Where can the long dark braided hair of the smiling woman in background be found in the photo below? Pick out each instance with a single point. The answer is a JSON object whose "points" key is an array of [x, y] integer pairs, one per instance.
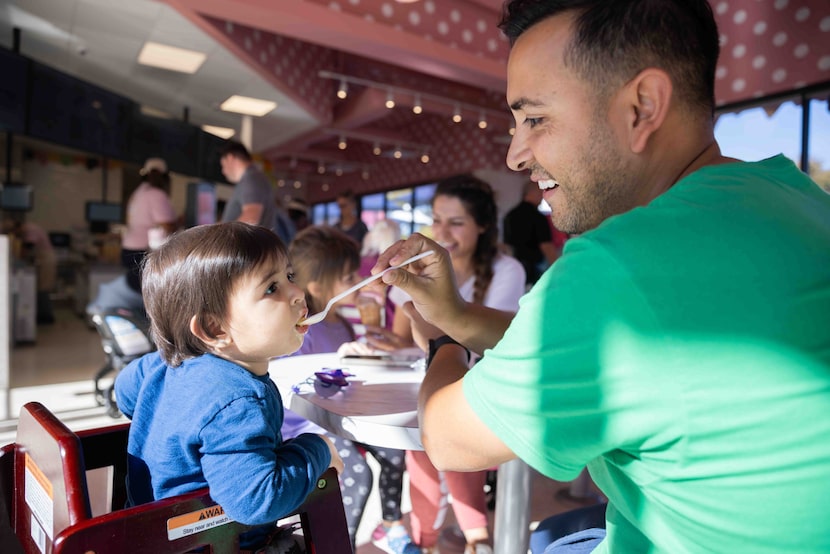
{"points": [[480, 202]]}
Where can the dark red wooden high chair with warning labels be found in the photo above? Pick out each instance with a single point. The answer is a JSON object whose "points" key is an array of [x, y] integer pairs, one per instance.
{"points": [[44, 483]]}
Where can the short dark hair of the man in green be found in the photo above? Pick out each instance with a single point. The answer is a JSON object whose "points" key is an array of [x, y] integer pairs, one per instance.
{"points": [[614, 40]]}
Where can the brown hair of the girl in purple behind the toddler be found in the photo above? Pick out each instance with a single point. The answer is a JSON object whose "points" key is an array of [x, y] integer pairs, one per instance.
{"points": [[322, 254]]}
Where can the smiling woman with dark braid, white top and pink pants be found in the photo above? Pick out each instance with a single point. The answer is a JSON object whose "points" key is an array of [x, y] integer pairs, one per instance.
{"points": [[464, 222]]}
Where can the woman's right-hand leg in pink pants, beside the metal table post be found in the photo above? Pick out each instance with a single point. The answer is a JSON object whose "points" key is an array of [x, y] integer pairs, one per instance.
{"points": [[469, 504]]}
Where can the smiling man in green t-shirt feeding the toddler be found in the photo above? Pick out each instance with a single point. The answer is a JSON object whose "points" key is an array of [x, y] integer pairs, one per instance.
{"points": [[680, 347]]}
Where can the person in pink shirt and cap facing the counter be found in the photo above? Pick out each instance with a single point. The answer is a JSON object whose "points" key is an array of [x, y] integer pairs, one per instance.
{"points": [[150, 217]]}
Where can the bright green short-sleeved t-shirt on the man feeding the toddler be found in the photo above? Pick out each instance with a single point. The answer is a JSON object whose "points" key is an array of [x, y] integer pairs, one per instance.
{"points": [[682, 352]]}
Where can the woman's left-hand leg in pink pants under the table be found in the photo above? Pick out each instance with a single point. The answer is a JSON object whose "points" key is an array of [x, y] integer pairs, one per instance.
{"points": [[428, 493]]}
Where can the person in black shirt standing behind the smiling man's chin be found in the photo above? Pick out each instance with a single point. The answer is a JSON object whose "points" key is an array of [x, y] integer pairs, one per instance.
{"points": [[528, 232]]}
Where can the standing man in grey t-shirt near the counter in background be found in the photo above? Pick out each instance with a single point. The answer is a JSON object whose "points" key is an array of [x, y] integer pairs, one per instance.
{"points": [[253, 200]]}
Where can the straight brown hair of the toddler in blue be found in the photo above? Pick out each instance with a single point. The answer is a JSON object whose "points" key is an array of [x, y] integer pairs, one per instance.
{"points": [[194, 274]]}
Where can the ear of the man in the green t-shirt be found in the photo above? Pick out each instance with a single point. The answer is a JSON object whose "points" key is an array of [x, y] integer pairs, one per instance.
{"points": [[645, 101]]}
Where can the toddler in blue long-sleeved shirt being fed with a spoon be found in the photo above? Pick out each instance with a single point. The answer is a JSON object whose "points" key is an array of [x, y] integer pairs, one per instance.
{"points": [[222, 302]]}
